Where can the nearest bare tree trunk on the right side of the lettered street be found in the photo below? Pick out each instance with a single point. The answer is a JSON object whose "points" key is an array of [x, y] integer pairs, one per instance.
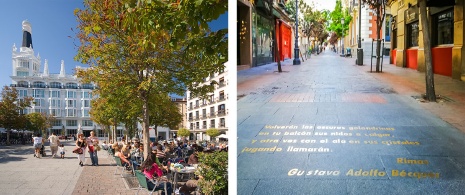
{"points": [[429, 75]]}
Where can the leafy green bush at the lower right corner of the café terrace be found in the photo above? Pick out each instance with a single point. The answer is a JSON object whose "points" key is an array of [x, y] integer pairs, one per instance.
{"points": [[213, 167]]}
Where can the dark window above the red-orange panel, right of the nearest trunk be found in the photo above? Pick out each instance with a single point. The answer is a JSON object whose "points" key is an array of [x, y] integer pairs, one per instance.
{"points": [[444, 23]]}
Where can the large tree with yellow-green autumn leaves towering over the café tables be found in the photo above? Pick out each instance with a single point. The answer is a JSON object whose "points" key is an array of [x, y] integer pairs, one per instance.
{"points": [[146, 47]]}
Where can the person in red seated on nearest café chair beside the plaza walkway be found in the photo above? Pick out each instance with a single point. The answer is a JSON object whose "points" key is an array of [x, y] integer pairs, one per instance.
{"points": [[152, 171]]}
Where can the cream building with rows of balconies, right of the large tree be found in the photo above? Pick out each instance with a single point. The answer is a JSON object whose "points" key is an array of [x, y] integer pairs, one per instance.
{"points": [[203, 114]]}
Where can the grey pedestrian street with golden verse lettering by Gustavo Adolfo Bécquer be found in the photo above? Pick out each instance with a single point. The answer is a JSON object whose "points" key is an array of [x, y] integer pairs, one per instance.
{"points": [[328, 126]]}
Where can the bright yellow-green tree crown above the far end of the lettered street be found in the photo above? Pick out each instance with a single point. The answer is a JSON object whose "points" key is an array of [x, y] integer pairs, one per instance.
{"points": [[336, 17]]}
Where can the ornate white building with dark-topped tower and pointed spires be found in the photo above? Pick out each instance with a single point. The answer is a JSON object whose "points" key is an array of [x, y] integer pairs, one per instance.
{"points": [[61, 95]]}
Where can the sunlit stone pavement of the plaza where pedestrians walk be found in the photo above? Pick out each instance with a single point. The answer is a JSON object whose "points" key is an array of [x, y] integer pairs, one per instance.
{"points": [[21, 173]]}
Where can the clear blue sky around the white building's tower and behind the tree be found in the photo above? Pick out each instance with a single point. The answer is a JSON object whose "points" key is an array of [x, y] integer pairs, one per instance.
{"points": [[51, 21]]}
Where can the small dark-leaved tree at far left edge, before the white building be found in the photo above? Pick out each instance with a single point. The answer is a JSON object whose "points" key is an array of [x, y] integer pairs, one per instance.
{"points": [[11, 110]]}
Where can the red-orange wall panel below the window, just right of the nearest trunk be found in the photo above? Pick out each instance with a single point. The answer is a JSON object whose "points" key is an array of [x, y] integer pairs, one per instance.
{"points": [[442, 60]]}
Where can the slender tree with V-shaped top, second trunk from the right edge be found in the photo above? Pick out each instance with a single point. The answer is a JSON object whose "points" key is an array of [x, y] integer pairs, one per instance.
{"points": [[379, 9]]}
